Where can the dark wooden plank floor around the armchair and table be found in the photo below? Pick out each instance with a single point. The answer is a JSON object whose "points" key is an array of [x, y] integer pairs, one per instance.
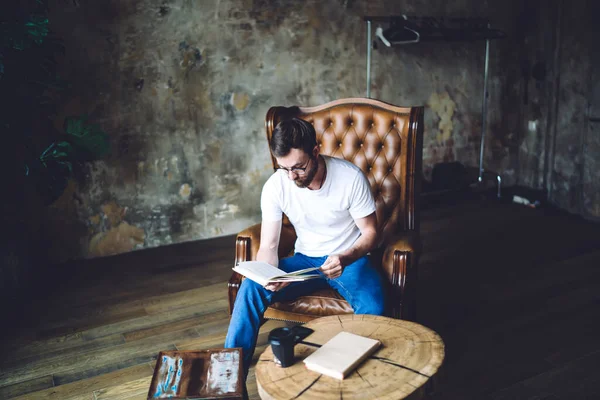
{"points": [[514, 292]]}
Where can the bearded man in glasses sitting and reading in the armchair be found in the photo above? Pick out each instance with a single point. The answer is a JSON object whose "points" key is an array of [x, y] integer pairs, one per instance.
{"points": [[329, 202]]}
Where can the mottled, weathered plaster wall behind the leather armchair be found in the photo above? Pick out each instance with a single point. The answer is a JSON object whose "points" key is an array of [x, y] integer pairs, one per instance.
{"points": [[182, 87]]}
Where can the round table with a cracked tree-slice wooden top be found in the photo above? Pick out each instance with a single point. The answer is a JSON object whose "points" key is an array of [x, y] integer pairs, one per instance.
{"points": [[409, 356]]}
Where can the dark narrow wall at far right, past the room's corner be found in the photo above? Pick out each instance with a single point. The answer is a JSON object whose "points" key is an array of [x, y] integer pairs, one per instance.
{"points": [[576, 178]]}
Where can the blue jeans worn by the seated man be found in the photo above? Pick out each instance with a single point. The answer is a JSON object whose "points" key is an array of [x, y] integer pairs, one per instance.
{"points": [[360, 284]]}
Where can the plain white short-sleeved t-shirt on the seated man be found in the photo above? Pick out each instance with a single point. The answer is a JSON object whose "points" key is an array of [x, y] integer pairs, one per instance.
{"points": [[323, 218]]}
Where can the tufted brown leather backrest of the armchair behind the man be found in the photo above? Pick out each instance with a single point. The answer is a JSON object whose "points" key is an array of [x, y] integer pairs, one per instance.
{"points": [[379, 138]]}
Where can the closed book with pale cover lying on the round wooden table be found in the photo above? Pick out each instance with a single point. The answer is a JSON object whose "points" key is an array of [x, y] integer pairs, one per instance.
{"points": [[341, 354]]}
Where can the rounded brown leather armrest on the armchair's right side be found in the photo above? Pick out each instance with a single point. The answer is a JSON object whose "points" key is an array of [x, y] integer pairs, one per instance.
{"points": [[399, 264]]}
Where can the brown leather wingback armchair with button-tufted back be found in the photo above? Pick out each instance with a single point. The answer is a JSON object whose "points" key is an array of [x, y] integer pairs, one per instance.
{"points": [[385, 141]]}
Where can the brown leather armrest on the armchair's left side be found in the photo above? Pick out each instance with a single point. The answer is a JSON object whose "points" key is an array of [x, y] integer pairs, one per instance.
{"points": [[247, 244]]}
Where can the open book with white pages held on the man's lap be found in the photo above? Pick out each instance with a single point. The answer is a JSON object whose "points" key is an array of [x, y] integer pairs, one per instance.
{"points": [[264, 273]]}
